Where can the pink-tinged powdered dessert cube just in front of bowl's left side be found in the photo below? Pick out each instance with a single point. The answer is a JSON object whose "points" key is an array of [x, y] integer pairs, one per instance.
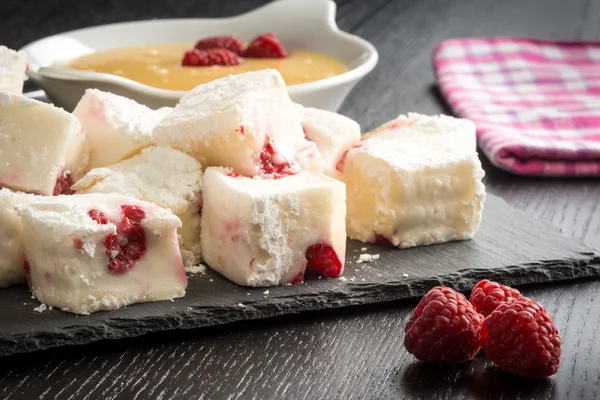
{"points": [[117, 127]]}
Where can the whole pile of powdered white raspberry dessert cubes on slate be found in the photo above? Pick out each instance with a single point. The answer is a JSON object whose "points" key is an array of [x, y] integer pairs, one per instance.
{"points": [[109, 205]]}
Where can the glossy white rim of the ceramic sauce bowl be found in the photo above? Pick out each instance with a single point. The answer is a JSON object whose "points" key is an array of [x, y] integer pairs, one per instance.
{"points": [[354, 74]]}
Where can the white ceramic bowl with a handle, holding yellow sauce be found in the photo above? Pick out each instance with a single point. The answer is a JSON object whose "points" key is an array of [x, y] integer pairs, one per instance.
{"points": [[298, 23]]}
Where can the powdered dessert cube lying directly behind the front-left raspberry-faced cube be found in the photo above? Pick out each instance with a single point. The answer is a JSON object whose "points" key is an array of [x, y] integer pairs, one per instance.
{"points": [[159, 175]]}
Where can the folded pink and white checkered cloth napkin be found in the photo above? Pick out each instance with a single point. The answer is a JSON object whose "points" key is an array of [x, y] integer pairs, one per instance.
{"points": [[536, 103]]}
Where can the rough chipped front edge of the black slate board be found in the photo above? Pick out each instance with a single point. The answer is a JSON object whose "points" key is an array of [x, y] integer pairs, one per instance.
{"points": [[355, 294]]}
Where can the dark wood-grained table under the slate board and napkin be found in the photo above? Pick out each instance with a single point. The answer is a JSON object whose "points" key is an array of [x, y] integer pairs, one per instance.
{"points": [[351, 353]]}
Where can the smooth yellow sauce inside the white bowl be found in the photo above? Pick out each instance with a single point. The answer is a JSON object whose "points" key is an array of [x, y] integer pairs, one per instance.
{"points": [[160, 66]]}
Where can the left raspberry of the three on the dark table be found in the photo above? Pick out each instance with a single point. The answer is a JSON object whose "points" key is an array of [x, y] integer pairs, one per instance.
{"points": [[444, 328]]}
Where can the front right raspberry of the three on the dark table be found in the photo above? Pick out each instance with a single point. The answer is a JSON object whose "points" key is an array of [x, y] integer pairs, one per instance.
{"points": [[521, 339]]}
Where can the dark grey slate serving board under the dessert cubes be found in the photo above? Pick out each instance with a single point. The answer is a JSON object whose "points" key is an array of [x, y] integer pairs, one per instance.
{"points": [[509, 247]]}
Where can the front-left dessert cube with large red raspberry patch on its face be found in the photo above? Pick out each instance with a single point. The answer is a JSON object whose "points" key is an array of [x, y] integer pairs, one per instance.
{"points": [[91, 252]]}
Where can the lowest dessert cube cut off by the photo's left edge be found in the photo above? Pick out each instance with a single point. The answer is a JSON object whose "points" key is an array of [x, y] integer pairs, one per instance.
{"points": [[12, 254]]}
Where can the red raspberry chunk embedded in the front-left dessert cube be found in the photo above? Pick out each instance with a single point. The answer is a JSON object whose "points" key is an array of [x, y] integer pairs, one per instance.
{"points": [[129, 244]]}
